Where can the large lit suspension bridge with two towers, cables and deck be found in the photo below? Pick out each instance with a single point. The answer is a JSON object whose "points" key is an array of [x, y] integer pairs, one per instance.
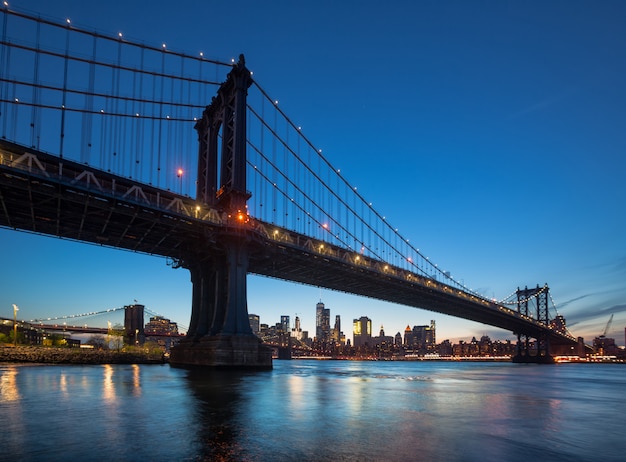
{"points": [[140, 147]]}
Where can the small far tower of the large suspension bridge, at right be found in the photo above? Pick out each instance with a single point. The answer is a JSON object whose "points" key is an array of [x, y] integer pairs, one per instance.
{"points": [[525, 297]]}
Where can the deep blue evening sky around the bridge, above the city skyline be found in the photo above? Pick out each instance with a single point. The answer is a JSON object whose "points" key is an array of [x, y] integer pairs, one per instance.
{"points": [[491, 133]]}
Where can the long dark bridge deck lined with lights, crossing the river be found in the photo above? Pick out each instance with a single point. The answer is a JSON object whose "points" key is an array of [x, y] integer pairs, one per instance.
{"points": [[48, 195]]}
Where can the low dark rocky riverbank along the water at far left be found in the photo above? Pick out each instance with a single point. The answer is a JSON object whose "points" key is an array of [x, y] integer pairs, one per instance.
{"points": [[52, 355]]}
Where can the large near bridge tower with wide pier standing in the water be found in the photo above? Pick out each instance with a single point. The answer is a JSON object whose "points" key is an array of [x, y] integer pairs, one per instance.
{"points": [[219, 333]]}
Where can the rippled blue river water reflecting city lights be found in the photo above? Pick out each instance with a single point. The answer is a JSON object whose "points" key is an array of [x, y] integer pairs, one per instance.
{"points": [[307, 410]]}
